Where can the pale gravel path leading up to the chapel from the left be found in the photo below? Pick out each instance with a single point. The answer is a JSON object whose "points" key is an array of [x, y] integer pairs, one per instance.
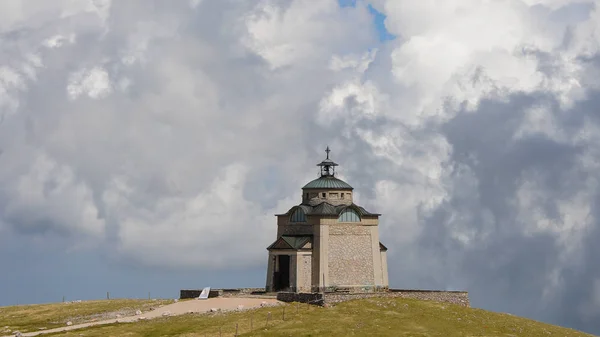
{"points": [[179, 308]]}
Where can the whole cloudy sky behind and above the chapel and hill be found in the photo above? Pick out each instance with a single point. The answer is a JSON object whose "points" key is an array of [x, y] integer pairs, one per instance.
{"points": [[138, 138]]}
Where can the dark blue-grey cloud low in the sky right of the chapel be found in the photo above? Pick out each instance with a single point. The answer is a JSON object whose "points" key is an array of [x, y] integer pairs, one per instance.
{"points": [[506, 265]]}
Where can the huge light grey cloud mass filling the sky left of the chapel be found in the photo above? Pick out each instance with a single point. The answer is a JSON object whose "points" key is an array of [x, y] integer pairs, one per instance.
{"points": [[144, 128]]}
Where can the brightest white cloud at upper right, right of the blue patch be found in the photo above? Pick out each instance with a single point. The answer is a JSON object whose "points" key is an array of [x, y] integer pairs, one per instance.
{"points": [[462, 40]]}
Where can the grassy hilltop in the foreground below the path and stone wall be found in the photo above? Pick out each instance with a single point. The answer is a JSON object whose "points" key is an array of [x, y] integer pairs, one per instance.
{"points": [[370, 317]]}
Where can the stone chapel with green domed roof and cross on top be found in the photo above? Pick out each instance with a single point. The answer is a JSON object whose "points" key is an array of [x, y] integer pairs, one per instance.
{"points": [[327, 242]]}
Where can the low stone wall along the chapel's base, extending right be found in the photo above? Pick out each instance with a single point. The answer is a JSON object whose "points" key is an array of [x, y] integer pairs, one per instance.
{"points": [[454, 297]]}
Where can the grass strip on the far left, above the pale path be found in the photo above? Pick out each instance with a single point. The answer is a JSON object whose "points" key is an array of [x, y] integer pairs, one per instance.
{"points": [[27, 318]]}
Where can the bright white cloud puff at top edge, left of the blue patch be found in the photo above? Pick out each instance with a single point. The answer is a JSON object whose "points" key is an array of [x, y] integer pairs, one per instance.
{"points": [[299, 32]]}
